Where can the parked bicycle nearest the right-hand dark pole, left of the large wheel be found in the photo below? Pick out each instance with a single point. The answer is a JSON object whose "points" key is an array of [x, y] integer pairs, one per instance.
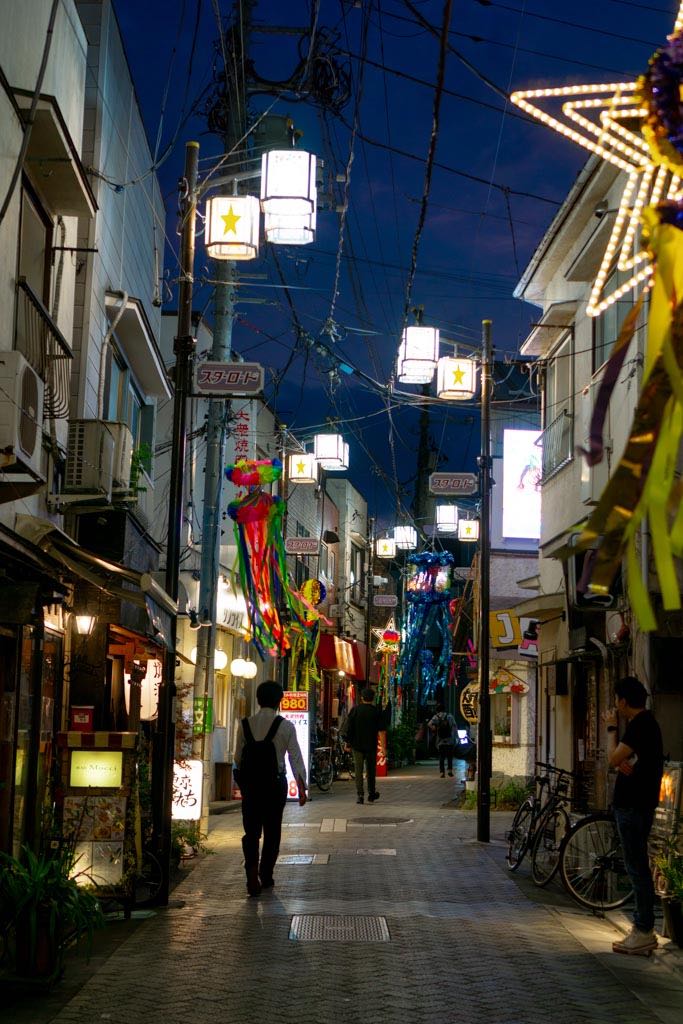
{"points": [[541, 823]]}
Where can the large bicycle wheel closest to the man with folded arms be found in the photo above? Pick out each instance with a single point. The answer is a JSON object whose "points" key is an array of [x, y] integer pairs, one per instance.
{"points": [[592, 865]]}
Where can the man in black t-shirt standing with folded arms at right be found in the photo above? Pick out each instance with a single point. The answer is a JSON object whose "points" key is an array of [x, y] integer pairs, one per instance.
{"points": [[638, 759]]}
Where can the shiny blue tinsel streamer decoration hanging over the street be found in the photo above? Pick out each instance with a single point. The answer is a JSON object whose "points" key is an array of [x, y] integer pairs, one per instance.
{"points": [[428, 596]]}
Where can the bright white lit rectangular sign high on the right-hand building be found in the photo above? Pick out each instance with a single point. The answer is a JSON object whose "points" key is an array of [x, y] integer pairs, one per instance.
{"points": [[522, 485]]}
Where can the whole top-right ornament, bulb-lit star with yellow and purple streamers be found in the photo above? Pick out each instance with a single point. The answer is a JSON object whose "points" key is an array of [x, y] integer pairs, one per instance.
{"points": [[637, 127]]}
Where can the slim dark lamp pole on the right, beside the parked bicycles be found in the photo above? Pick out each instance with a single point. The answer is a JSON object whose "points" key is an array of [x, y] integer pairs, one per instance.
{"points": [[484, 733]]}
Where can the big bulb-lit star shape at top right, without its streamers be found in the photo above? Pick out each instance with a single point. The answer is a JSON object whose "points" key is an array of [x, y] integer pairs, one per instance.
{"points": [[609, 120]]}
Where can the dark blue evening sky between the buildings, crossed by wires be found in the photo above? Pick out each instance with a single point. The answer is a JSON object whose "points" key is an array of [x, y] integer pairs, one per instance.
{"points": [[496, 185]]}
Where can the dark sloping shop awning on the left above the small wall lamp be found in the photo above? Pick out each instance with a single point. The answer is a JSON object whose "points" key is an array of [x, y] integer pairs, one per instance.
{"points": [[127, 585]]}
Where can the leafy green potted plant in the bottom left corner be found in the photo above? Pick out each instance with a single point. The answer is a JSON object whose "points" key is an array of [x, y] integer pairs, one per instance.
{"points": [[44, 909]]}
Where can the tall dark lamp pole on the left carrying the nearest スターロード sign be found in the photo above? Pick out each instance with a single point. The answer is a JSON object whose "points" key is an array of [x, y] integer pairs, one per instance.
{"points": [[184, 348]]}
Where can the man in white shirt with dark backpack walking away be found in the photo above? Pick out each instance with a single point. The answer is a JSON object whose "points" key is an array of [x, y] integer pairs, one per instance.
{"points": [[263, 742]]}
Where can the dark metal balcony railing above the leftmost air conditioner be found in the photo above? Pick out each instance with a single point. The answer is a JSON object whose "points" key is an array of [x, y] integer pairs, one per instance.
{"points": [[42, 344]]}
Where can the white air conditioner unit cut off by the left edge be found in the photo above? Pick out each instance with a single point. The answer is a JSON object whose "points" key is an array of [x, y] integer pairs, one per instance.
{"points": [[21, 416]]}
